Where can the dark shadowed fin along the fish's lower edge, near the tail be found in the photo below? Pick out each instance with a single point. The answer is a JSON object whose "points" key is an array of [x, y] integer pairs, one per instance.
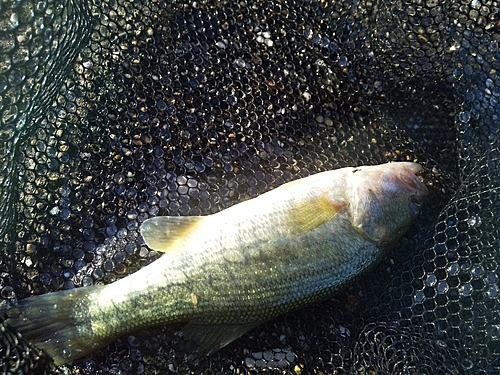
{"points": [[211, 338]]}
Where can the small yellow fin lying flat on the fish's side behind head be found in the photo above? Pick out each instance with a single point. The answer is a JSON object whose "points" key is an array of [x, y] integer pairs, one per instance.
{"points": [[312, 213]]}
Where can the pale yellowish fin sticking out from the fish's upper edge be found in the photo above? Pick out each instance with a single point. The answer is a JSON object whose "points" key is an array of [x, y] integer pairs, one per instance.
{"points": [[161, 232]]}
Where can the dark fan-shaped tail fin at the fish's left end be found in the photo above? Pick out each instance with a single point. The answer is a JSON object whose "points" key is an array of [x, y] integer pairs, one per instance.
{"points": [[57, 322]]}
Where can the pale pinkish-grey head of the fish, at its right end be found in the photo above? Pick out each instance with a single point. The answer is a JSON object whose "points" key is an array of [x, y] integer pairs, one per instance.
{"points": [[385, 200]]}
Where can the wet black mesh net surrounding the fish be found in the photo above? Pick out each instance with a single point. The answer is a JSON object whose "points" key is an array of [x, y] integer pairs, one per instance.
{"points": [[112, 112]]}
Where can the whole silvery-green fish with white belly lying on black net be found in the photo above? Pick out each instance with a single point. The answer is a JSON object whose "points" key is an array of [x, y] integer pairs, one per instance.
{"points": [[224, 274]]}
